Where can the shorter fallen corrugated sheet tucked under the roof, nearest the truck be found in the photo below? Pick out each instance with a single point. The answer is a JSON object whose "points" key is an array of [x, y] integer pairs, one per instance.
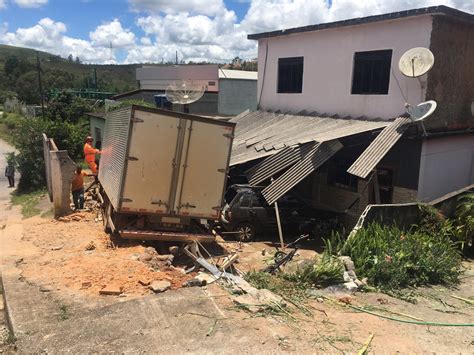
{"points": [[276, 163]]}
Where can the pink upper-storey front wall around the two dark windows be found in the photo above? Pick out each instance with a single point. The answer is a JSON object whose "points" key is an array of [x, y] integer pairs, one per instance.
{"points": [[328, 65]]}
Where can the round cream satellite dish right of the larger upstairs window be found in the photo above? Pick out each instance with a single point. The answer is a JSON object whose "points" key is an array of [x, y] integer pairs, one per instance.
{"points": [[416, 62]]}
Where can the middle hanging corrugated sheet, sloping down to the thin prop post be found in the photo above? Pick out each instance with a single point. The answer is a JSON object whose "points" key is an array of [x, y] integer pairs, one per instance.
{"points": [[318, 155]]}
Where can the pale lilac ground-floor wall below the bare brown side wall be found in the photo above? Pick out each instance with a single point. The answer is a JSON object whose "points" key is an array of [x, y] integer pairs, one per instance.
{"points": [[447, 164]]}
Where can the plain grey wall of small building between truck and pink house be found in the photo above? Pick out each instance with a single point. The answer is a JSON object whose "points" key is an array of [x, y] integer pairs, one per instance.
{"points": [[236, 96]]}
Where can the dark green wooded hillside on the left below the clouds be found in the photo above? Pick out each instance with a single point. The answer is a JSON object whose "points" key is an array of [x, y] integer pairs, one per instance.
{"points": [[18, 74]]}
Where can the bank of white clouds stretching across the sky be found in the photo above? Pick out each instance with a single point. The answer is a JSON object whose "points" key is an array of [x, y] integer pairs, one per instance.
{"points": [[200, 30]]}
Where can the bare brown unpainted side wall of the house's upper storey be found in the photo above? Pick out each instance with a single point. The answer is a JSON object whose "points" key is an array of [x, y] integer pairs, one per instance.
{"points": [[451, 80]]}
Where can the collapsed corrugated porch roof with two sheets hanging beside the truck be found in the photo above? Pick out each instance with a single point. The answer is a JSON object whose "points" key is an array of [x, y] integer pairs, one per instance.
{"points": [[301, 143]]}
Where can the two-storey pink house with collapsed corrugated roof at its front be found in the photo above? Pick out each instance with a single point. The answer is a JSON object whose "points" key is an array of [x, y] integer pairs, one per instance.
{"points": [[331, 121]]}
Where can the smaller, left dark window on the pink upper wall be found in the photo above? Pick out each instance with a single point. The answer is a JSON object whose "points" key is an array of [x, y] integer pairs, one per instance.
{"points": [[290, 75]]}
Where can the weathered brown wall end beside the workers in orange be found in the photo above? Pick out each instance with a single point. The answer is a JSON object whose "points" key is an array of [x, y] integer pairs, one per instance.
{"points": [[62, 172]]}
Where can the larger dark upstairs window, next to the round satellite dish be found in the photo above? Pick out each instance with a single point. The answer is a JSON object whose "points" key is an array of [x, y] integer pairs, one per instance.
{"points": [[371, 72]]}
